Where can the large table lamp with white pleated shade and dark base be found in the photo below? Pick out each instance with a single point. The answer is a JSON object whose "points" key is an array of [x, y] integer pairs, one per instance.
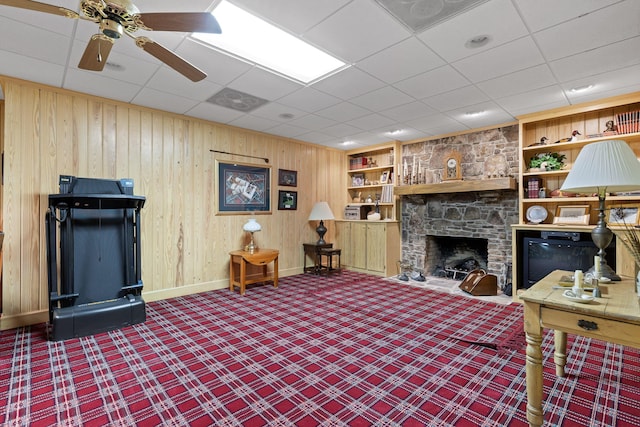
{"points": [[601, 167]]}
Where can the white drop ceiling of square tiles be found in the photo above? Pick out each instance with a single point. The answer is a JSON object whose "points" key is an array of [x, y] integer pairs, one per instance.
{"points": [[527, 56]]}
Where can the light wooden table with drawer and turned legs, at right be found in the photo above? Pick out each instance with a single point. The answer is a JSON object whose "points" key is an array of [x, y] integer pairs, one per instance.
{"points": [[613, 318]]}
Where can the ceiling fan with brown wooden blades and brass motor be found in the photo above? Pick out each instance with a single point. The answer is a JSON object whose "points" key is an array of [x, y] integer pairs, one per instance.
{"points": [[121, 17]]}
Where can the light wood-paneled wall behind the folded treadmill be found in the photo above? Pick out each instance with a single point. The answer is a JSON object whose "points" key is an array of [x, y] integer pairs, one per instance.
{"points": [[49, 132]]}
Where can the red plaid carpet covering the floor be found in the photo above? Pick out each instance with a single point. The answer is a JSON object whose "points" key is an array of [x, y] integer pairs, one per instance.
{"points": [[350, 350]]}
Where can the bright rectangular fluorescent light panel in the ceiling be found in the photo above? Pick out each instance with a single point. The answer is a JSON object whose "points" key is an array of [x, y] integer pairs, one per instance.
{"points": [[249, 37]]}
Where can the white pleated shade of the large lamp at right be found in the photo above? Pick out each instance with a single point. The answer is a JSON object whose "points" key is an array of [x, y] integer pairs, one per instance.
{"points": [[607, 166]]}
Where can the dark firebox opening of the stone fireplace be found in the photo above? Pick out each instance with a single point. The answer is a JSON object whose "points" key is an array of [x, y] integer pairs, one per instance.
{"points": [[455, 257]]}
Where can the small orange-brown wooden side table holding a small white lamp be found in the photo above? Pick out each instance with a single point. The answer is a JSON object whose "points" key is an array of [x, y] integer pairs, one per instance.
{"points": [[238, 268]]}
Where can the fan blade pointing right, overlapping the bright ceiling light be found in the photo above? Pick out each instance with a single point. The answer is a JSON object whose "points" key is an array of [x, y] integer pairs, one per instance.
{"points": [[189, 22]]}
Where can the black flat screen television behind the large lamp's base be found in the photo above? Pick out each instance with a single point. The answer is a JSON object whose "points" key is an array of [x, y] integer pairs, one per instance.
{"points": [[542, 256]]}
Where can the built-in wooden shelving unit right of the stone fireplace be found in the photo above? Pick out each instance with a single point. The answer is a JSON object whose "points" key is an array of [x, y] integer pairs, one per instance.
{"points": [[590, 119]]}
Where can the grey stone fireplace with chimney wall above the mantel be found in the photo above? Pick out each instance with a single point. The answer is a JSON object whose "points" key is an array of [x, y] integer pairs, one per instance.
{"points": [[470, 221]]}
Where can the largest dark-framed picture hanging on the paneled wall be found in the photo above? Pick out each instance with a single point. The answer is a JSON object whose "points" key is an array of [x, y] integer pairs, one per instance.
{"points": [[243, 188]]}
